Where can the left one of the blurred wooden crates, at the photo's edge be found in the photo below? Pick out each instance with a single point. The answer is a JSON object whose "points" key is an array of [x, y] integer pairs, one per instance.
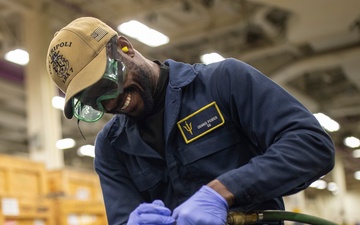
{"points": [[23, 190]]}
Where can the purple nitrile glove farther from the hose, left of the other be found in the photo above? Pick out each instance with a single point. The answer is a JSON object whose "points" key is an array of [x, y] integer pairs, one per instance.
{"points": [[151, 213]]}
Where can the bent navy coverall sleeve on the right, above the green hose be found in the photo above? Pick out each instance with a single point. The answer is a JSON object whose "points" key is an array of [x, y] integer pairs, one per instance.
{"points": [[295, 150]]}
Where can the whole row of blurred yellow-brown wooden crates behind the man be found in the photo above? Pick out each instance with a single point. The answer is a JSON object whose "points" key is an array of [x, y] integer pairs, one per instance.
{"points": [[32, 195]]}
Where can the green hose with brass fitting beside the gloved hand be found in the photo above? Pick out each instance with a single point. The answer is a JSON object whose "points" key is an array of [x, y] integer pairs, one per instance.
{"points": [[239, 218]]}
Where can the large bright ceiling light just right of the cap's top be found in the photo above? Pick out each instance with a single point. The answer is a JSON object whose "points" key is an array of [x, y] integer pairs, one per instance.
{"points": [[143, 33]]}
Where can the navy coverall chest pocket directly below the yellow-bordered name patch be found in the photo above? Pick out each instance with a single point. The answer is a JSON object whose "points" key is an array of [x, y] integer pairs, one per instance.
{"points": [[212, 155]]}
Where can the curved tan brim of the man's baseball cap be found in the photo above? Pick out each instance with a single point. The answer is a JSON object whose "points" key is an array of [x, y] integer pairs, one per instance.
{"points": [[88, 76]]}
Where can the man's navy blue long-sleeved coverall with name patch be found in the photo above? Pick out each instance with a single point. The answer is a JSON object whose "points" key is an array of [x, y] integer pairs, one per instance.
{"points": [[224, 121]]}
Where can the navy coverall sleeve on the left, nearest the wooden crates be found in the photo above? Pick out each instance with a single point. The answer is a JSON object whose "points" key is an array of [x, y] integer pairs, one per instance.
{"points": [[119, 193]]}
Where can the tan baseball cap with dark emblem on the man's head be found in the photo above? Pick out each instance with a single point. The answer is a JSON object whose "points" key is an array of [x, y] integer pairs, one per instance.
{"points": [[76, 57]]}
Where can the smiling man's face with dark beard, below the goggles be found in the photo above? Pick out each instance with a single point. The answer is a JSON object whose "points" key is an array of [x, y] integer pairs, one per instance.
{"points": [[136, 101]]}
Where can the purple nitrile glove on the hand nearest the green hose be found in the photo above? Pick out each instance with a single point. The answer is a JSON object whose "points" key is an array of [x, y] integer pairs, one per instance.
{"points": [[205, 207]]}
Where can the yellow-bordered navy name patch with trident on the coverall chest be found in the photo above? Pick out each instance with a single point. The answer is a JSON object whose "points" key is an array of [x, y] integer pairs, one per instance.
{"points": [[200, 122]]}
